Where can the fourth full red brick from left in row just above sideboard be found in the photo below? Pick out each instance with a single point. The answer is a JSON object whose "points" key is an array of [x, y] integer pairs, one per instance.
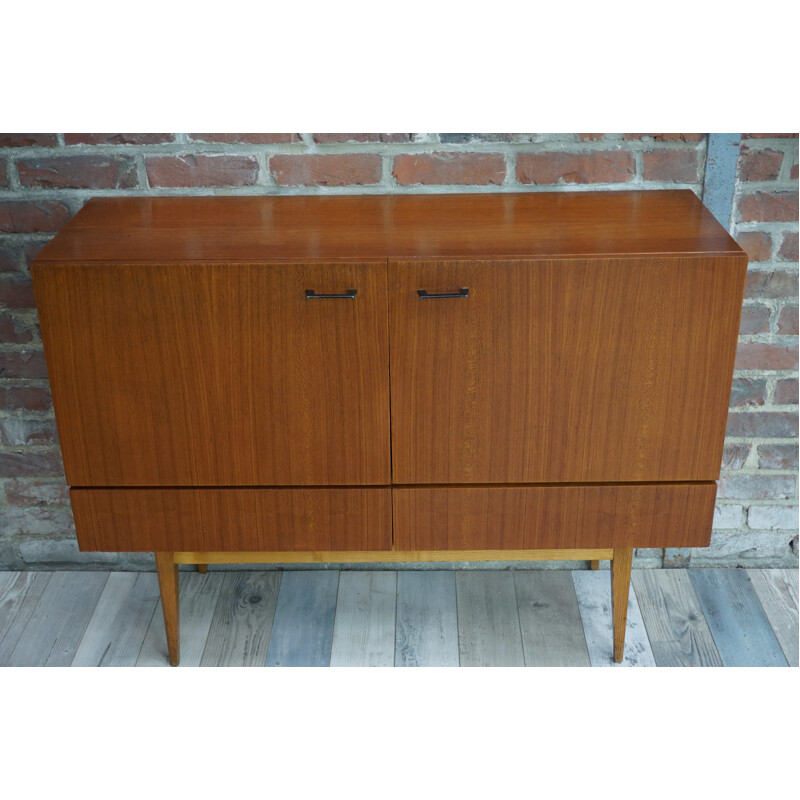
{"points": [[461, 169]]}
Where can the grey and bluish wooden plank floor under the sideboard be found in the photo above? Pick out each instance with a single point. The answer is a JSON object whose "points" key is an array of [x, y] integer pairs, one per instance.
{"points": [[687, 618]]}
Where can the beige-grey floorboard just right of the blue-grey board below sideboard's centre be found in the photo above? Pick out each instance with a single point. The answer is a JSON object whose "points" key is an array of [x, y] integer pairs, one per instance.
{"points": [[488, 621]]}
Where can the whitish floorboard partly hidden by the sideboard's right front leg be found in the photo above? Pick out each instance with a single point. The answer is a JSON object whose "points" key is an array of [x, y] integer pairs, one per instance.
{"points": [[593, 588]]}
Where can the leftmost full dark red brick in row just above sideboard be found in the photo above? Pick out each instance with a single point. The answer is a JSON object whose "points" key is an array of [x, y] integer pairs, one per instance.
{"points": [[79, 172]]}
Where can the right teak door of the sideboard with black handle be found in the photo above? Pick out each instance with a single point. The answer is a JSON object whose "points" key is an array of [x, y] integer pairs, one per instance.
{"points": [[580, 370]]}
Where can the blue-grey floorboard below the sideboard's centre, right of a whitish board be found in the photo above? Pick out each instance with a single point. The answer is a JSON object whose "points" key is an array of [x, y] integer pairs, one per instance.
{"points": [[427, 619]]}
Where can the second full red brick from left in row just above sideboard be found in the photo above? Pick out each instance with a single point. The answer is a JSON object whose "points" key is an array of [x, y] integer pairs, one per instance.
{"points": [[201, 170]]}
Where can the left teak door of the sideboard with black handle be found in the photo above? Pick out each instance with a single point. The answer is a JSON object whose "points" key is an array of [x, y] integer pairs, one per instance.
{"points": [[218, 374]]}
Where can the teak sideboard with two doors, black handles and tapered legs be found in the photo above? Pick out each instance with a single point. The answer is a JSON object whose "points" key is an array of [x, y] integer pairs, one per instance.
{"points": [[391, 378]]}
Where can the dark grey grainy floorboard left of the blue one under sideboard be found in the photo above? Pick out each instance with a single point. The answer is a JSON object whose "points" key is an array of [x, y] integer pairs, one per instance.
{"points": [[240, 630]]}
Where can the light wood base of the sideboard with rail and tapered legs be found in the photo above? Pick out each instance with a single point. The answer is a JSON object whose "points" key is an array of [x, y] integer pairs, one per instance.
{"points": [[168, 578]]}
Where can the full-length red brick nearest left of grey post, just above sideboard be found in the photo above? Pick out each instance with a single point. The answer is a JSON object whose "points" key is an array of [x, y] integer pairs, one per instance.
{"points": [[599, 166]]}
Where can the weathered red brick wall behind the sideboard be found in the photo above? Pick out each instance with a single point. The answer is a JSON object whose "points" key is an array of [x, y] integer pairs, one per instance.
{"points": [[45, 178]]}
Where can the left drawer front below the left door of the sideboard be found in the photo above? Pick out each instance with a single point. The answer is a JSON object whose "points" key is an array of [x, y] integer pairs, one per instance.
{"points": [[128, 520]]}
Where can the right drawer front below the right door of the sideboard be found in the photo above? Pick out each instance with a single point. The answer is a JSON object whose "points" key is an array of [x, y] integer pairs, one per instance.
{"points": [[553, 517]]}
